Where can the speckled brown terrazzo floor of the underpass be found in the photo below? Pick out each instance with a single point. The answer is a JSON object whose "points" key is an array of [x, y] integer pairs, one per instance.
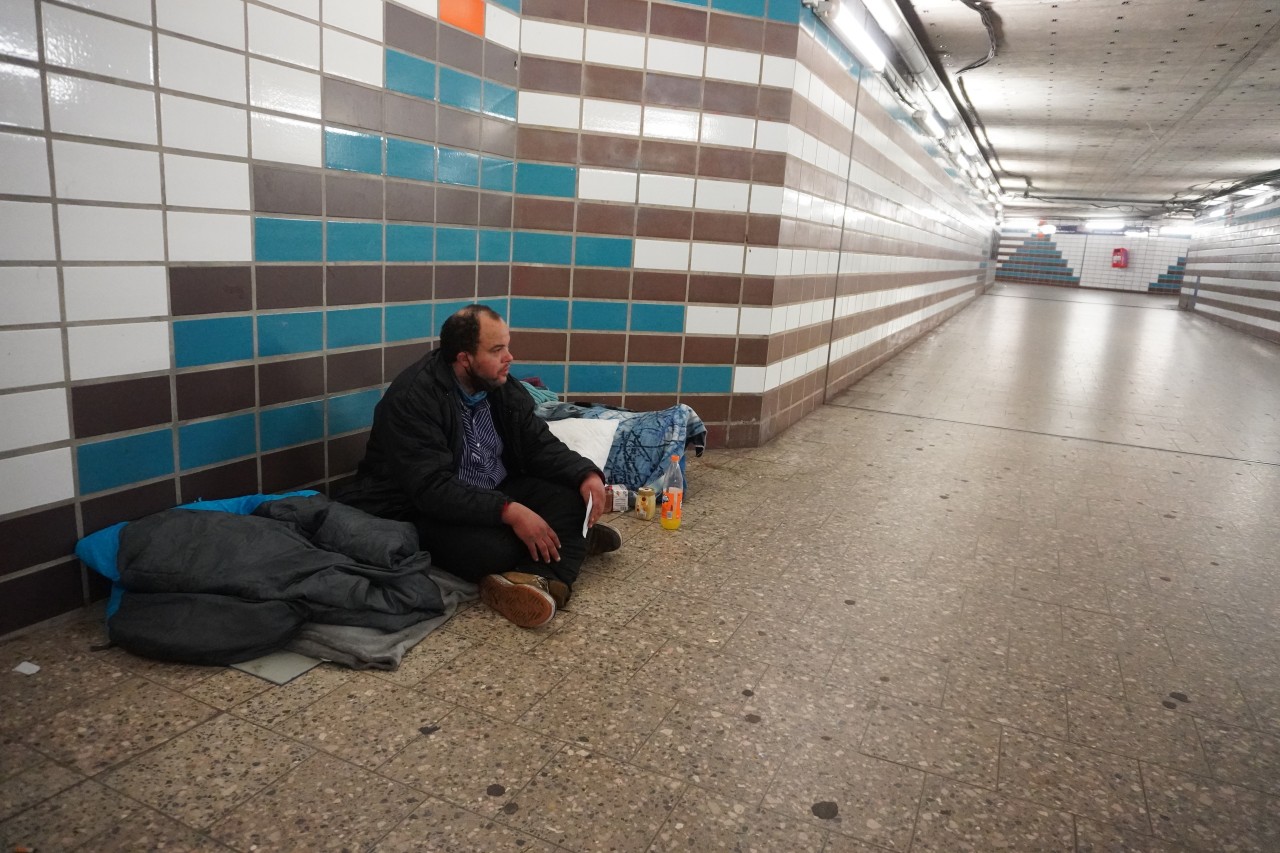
{"points": [[986, 600]]}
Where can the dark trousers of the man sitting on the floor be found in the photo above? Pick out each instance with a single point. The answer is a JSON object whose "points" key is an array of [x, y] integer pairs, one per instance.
{"points": [[473, 553]]}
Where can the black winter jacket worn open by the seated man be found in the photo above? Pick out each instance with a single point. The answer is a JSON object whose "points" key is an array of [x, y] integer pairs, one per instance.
{"points": [[417, 445]]}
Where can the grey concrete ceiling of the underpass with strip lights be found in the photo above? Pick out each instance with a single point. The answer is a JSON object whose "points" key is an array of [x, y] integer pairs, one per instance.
{"points": [[1131, 108]]}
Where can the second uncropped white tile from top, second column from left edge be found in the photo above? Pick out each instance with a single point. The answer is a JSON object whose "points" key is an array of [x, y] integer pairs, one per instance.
{"points": [[90, 108]]}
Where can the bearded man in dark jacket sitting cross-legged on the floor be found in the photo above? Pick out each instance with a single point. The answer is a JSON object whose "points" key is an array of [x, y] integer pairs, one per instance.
{"points": [[497, 499]]}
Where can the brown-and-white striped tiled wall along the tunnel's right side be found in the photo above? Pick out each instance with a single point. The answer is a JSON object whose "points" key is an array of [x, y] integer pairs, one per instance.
{"points": [[1233, 271]]}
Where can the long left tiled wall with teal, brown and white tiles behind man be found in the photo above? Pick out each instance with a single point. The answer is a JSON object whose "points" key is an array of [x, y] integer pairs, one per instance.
{"points": [[228, 225]]}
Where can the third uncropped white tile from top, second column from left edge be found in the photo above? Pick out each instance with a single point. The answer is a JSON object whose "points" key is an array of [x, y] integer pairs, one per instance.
{"points": [[107, 174]]}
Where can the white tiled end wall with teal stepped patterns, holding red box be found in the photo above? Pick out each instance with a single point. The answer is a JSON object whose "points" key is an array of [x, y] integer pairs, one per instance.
{"points": [[1085, 261]]}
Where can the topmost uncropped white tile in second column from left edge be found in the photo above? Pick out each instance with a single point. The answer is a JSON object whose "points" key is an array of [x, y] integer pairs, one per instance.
{"points": [[97, 45]]}
